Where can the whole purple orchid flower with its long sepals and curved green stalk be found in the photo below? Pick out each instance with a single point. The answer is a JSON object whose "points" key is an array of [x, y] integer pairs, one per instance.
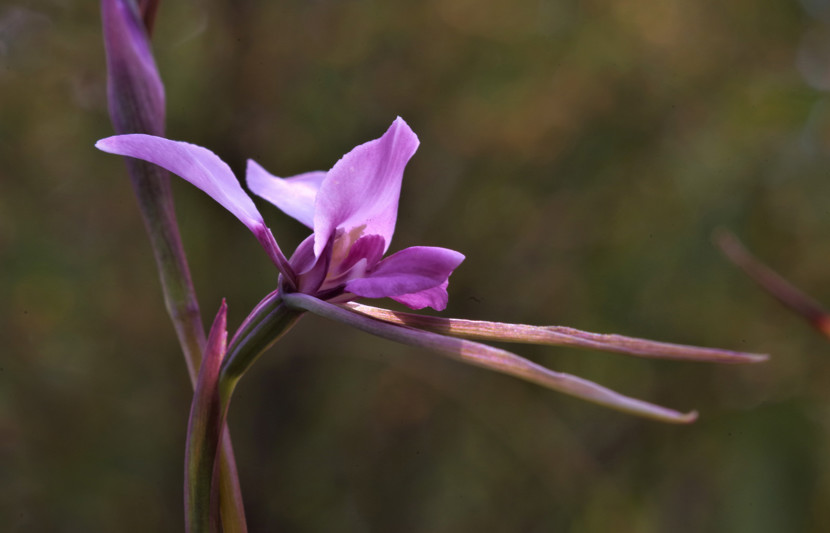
{"points": [[352, 210]]}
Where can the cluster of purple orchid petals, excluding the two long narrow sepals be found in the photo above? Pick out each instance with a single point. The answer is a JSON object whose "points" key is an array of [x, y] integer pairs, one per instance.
{"points": [[352, 210]]}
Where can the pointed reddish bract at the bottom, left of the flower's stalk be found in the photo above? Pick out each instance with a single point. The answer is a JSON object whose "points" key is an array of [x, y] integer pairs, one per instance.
{"points": [[204, 431]]}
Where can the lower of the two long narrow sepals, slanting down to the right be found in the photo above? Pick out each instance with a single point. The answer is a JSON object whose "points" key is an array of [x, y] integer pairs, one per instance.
{"points": [[491, 358]]}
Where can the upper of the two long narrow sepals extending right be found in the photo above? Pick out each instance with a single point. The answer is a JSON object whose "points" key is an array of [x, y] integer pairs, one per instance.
{"points": [[557, 336]]}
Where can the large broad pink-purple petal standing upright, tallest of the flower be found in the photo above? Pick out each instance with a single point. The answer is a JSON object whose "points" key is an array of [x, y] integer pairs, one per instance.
{"points": [[363, 187]]}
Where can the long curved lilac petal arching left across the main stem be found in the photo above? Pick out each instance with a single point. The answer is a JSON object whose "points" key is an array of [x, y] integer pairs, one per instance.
{"points": [[205, 170]]}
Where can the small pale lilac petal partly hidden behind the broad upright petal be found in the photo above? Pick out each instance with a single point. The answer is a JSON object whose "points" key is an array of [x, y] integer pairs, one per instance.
{"points": [[294, 196]]}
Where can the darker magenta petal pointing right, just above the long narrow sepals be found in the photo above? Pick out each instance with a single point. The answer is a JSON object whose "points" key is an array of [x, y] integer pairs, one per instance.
{"points": [[409, 271]]}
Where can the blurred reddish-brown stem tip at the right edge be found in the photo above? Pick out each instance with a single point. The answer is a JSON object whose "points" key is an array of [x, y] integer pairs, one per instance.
{"points": [[771, 282]]}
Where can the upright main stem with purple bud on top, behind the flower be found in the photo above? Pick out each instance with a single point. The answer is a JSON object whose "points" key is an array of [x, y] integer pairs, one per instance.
{"points": [[137, 105]]}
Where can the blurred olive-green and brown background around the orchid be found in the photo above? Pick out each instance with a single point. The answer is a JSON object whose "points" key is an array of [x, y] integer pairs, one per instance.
{"points": [[580, 153]]}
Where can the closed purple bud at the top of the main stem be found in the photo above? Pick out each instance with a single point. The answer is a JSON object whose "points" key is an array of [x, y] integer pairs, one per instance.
{"points": [[134, 88]]}
